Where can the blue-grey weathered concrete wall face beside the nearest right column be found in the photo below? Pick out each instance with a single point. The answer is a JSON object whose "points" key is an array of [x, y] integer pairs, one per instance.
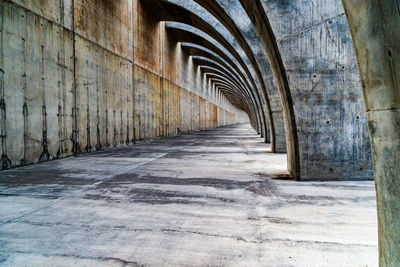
{"points": [[318, 54]]}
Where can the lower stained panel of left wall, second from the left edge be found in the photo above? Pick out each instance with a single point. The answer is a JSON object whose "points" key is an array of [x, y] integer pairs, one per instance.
{"points": [[95, 66]]}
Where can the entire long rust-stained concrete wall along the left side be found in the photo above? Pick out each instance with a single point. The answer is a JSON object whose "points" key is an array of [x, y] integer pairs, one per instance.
{"points": [[84, 75]]}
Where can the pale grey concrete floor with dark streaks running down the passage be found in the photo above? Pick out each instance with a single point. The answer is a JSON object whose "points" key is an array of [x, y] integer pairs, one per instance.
{"points": [[195, 200]]}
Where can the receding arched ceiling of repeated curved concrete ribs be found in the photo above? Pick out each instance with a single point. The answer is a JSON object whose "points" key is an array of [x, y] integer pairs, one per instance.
{"points": [[218, 42]]}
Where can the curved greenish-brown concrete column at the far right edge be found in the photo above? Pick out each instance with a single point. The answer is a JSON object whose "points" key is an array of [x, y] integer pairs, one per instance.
{"points": [[375, 26]]}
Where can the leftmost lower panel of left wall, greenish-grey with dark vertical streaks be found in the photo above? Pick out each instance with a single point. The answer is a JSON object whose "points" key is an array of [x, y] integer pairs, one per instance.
{"points": [[38, 82]]}
